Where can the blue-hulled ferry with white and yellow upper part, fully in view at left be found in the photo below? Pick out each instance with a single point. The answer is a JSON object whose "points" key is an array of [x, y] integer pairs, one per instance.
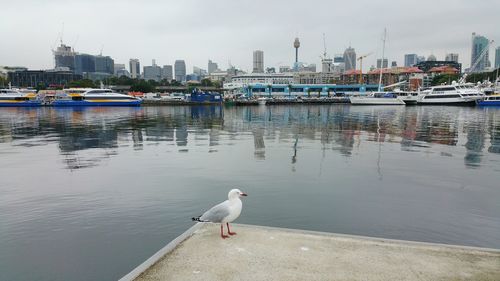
{"points": [[94, 97]]}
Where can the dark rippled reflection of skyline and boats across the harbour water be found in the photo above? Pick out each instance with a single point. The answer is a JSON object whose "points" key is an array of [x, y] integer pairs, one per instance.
{"points": [[337, 128]]}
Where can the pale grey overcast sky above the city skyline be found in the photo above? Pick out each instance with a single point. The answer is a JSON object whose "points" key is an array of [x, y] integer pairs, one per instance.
{"points": [[229, 30]]}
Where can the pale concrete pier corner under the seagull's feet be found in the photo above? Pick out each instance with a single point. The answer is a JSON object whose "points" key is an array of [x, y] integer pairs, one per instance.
{"points": [[264, 253]]}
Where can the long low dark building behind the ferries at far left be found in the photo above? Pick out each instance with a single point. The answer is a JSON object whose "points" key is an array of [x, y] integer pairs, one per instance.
{"points": [[33, 78]]}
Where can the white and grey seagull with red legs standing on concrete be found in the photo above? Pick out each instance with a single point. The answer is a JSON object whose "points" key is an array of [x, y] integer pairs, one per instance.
{"points": [[225, 212]]}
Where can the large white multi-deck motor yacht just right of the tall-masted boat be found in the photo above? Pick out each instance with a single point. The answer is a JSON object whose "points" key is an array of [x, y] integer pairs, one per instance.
{"points": [[451, 94]]}
